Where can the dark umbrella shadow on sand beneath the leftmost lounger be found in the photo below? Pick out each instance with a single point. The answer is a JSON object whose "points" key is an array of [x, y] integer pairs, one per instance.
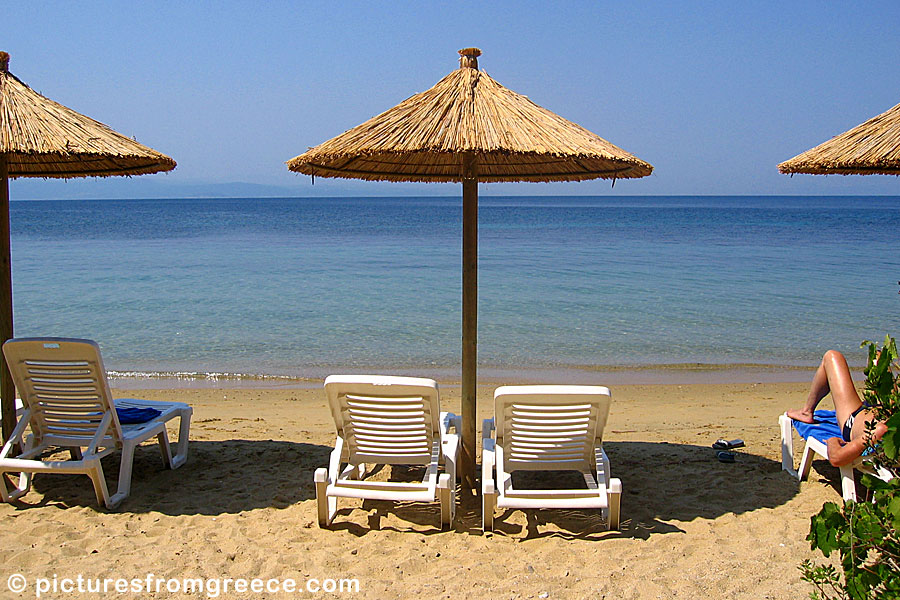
{"points": [[219, 477]]}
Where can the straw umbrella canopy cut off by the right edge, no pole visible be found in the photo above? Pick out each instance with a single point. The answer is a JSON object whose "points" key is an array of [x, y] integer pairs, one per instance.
{"points": [[867, 149]]}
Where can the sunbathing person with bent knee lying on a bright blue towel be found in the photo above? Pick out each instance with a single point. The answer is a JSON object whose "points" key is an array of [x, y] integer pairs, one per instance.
{"points": [[833, 375]]}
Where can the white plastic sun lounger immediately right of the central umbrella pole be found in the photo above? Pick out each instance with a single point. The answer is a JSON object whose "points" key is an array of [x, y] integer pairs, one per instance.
{"points": [[548, 428]]}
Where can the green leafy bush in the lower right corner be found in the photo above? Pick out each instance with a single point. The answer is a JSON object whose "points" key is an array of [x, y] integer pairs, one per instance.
{"points": [[866, 535]]}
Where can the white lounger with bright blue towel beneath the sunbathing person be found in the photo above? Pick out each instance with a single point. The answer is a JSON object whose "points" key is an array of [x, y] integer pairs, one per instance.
{"points": [[817, 435]]}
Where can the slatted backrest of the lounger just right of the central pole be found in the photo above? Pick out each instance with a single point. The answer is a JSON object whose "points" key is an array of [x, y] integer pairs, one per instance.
{"points": [[550, 427]]}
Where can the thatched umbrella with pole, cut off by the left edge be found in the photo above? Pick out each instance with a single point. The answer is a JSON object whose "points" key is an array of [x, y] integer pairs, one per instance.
{"points": [[40, 138]]}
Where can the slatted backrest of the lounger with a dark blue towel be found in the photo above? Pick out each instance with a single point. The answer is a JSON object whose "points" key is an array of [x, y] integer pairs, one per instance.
{"points": [[63, 382]]}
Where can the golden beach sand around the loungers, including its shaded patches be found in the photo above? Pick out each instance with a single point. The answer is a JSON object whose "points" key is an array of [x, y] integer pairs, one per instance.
{"points": [[244, 507]]}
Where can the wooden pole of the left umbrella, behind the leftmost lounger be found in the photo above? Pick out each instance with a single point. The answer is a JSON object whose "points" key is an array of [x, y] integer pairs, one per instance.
{"points": [[7, 390]]}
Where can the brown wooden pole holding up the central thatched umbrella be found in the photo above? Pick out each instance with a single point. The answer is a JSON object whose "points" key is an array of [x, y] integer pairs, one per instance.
{"points": [[470, 320]]}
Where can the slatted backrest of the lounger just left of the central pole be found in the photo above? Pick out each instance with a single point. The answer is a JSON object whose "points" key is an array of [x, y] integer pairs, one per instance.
{"points": [[385, 420]]}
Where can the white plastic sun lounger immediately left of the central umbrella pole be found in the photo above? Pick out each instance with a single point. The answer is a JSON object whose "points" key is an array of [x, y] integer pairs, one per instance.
{"points": [[385, 420]]}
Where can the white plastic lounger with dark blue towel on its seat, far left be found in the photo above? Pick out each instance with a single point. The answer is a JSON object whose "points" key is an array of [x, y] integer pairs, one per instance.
{"points": [[67, 405]]}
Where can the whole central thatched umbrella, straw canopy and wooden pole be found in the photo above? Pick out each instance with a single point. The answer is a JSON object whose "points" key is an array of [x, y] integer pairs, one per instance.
{"points": [[469, 128]]}
